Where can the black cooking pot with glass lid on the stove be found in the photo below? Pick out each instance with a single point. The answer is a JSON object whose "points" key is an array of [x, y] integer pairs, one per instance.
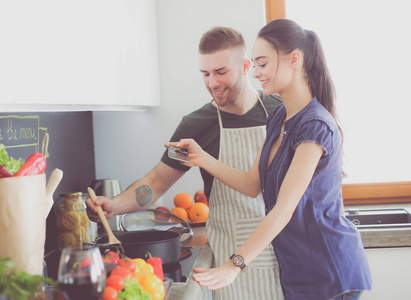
{"points": [[166, 244]]}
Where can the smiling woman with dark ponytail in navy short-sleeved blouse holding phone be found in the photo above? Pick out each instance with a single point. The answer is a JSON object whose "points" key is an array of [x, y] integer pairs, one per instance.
{"points": [[299, 172]]}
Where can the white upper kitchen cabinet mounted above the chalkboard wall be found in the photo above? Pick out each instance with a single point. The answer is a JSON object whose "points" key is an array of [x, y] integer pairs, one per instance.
{"points": [[78, 53]]}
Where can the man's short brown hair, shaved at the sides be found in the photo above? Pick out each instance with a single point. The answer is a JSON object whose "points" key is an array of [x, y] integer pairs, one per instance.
{"points": [[220, 38]]}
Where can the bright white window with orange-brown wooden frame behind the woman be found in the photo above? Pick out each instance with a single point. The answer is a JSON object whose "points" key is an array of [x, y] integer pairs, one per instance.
{"points": [[366, 45]]}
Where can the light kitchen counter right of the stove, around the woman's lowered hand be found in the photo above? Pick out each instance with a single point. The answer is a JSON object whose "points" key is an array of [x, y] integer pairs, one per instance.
{"points": [[191, 289]]}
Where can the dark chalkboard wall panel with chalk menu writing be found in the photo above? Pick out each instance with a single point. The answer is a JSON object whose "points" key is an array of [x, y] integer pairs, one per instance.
{"points": [[70, 149]]}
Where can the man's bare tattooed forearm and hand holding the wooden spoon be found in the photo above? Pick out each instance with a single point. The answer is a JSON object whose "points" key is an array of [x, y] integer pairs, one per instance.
{"points": [[140, 195]]}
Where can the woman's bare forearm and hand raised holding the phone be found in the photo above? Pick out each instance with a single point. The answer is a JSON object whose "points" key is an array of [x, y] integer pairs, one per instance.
{"points": [[246, 182]]}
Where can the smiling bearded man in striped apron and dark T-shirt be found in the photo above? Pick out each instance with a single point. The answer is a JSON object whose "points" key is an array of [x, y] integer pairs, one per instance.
{"points": [[231, 128]]}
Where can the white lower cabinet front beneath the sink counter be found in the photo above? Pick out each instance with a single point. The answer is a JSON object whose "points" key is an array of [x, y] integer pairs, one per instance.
{"points": [[391, 273]]}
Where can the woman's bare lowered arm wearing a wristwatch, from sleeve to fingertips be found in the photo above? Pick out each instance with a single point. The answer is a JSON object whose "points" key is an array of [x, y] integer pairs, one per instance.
{"points": [[295, 183]]}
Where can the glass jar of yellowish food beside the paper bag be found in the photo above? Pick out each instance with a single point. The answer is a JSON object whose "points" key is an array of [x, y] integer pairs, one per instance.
{"points": [[72, 221]]}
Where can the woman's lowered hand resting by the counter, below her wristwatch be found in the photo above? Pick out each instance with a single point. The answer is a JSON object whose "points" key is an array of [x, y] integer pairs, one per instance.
{"points": [[216, 278]]}
